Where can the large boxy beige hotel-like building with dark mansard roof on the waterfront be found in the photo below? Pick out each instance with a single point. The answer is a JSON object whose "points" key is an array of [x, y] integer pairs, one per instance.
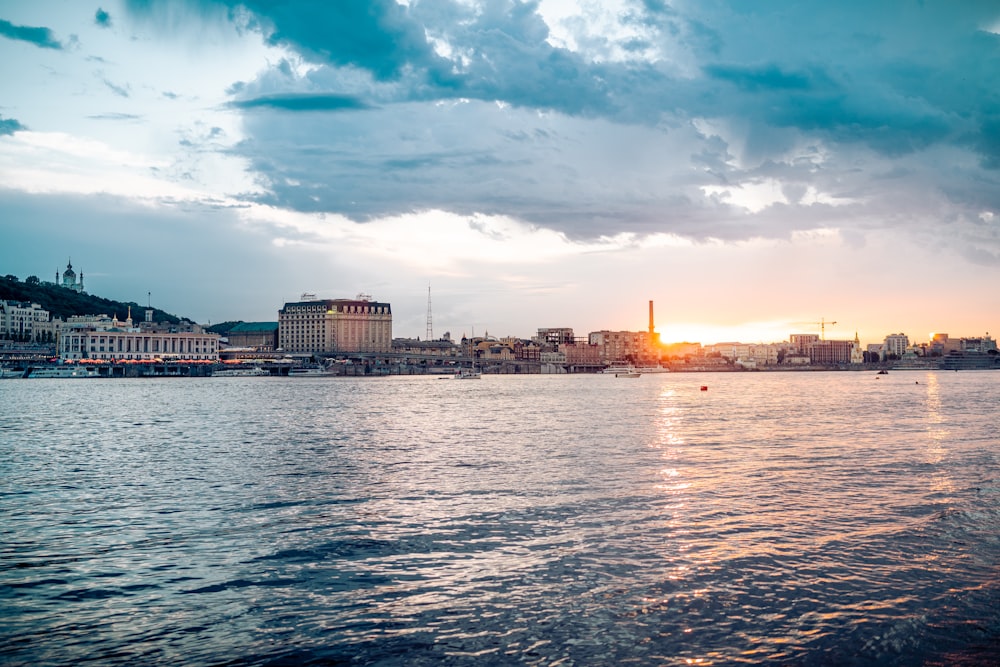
{"points": [[335, 325]]}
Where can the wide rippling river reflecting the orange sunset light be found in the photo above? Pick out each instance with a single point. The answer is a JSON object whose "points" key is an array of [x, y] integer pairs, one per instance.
{"points": [[807, 518]]}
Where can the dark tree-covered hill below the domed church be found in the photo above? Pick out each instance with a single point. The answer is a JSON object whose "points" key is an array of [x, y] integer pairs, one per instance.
{"points": [[63, 303]]}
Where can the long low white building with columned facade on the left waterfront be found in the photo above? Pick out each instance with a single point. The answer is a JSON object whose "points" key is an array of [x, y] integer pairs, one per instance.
{"points": [[124, 342]]}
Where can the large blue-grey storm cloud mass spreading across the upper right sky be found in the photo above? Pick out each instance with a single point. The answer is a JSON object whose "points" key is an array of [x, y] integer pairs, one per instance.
{"points": [[859, 88]]}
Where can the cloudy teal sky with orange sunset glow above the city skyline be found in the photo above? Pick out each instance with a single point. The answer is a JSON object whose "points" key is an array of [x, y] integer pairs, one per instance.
{"points": [[753, 169]]}
